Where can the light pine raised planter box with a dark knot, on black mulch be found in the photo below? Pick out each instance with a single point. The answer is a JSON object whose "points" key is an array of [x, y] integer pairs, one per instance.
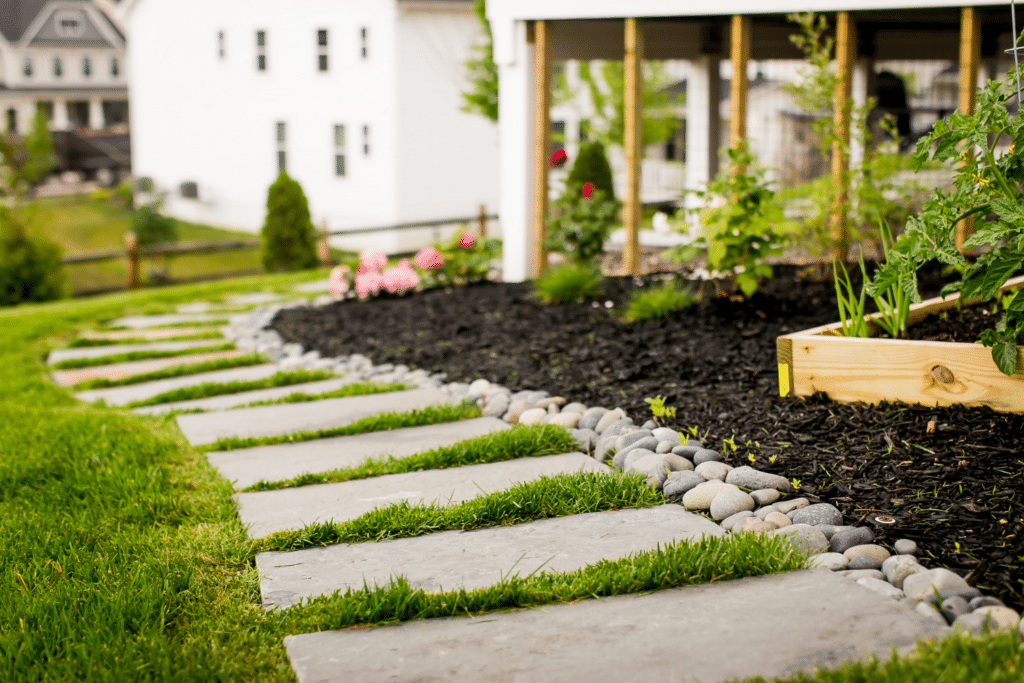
{"points": [[873, 370]]}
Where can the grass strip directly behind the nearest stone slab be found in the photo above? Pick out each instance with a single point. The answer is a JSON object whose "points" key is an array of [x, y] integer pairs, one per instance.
{"points": [[675, 565]]}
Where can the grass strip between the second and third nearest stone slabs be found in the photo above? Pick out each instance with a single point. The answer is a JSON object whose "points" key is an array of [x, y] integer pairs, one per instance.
{"points": [[554, 496]]}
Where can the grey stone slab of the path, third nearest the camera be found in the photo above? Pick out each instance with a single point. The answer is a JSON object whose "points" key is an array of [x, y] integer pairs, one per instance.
{"points": [[272, 511]]}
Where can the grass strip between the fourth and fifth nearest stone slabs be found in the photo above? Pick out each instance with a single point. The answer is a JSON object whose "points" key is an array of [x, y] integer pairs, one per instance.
{"points": [[432, 415]]}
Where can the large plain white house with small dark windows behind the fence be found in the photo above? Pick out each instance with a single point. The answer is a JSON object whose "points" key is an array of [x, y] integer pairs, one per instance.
{"points": [[358, 100]]}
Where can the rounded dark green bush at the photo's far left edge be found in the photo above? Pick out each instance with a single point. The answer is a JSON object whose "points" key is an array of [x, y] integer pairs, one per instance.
{"points": [[30, 267]]}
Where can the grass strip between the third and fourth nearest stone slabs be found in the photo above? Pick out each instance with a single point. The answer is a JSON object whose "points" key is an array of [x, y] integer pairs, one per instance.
{"points": [[520, 442]]}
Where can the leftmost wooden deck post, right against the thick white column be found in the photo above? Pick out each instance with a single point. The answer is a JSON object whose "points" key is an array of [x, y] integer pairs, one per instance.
{"points": [[542, 141]]}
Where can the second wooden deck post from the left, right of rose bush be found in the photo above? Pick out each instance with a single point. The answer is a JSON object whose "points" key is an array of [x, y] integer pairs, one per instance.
{"points": [[633, 144]]}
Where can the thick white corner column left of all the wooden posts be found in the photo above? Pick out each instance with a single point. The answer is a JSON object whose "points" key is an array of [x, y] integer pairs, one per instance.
{"points": [[516, 141]]}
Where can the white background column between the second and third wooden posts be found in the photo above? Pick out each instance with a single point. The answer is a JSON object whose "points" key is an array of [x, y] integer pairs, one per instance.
{"points": [[704, 89]]}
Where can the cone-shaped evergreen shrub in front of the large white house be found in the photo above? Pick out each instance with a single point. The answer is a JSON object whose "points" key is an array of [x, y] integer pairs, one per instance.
{"points": [[289, 238]]}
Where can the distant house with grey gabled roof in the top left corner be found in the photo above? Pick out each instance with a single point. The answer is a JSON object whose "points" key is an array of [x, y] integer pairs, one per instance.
{"points": [[66, 58]]}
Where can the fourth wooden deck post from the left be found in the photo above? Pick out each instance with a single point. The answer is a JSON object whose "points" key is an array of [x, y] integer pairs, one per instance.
{"points": [[846, 47]]}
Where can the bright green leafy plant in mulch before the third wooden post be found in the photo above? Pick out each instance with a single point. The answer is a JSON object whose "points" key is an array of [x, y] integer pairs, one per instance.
{"points": [[741, 231]]}
